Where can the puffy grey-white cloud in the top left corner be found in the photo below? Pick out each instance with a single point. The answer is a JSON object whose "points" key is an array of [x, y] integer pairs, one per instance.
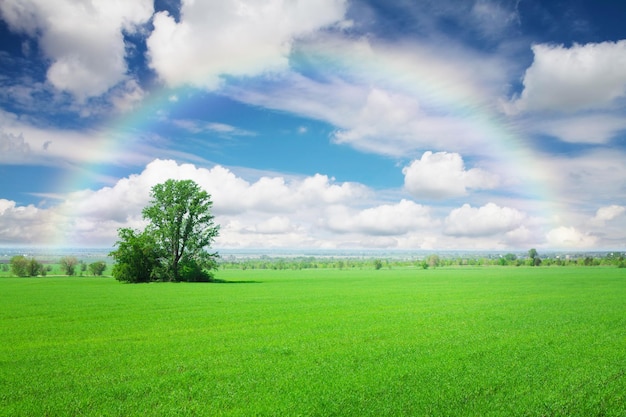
{"points": [[84, 41]]}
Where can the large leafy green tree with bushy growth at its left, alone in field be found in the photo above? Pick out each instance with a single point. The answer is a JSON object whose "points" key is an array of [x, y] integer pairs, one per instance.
{"points": [[174, 246]]}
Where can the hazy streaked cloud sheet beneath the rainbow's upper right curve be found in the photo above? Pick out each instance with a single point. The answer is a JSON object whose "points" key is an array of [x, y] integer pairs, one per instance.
{"points": [[397, 101]]}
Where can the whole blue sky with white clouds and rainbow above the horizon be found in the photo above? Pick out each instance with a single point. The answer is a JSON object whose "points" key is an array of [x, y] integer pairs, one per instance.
{"points": [[432, 125]]}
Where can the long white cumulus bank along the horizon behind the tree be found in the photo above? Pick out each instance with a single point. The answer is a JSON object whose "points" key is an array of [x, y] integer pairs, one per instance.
{"points": [[277, 211]]}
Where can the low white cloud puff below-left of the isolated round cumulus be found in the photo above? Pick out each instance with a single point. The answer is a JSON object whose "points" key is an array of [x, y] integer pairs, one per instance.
{"points": [[383, 220]]}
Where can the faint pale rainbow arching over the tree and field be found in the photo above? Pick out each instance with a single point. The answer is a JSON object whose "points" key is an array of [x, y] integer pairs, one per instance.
{"points": [[440, 90]]}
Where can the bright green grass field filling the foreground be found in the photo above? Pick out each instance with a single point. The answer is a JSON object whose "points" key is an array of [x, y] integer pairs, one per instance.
{"points": [[467, 342]]}
